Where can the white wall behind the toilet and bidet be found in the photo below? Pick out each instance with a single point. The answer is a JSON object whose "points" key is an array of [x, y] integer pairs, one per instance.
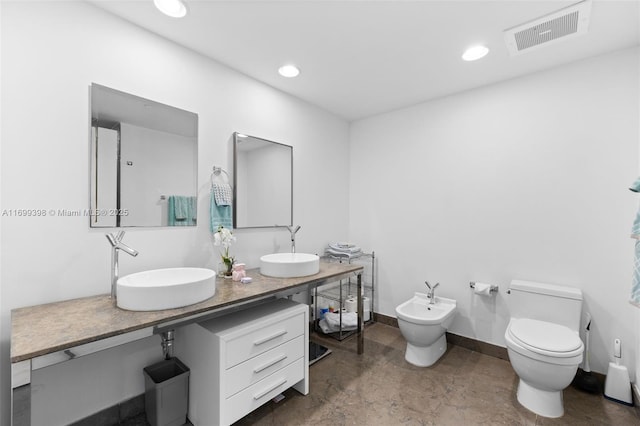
{"points": [[524, 179]]}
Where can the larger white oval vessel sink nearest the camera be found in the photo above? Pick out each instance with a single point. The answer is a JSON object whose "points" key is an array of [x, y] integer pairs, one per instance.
{"points": [[165, 288]]}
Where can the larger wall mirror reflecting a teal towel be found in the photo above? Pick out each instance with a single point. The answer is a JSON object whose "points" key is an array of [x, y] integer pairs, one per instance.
{"points": [[144, 162]]}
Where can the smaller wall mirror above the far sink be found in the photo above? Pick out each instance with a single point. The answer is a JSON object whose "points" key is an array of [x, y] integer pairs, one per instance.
{"points": [[262, 182]]}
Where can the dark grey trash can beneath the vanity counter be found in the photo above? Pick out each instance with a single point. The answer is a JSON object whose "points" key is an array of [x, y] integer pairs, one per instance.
{"points": [[167, 393]]}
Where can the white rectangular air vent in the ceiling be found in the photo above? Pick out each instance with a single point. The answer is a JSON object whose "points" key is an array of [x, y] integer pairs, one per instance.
{"points": [[561, 25]]}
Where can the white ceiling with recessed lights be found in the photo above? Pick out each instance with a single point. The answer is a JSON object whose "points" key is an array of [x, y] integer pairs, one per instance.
{"points": [[360, 58]]}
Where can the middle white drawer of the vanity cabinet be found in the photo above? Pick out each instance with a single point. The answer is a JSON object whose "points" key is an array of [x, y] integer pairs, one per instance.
{"points": [[263, 365]]}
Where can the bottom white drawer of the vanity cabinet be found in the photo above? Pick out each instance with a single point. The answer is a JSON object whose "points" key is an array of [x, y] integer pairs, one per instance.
{"points": [[254, 396]]}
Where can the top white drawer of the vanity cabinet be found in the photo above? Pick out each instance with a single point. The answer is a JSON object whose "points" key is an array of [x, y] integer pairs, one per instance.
{"points": [[246, 346]]}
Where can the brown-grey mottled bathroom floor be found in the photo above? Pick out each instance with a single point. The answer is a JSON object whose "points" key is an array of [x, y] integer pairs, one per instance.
{"points": [[380, 388]]}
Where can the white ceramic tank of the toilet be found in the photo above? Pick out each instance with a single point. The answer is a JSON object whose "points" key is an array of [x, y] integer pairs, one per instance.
{"points": [[545, 302]]}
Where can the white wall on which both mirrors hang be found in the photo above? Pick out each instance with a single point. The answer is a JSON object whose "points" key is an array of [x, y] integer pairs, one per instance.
{"points": [[51, 53]]}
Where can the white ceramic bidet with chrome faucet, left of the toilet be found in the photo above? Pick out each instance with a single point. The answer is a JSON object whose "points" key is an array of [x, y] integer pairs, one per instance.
{"points": [[423, 325]]}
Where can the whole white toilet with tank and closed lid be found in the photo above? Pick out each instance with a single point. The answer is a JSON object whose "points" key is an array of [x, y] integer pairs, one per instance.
{"points": [[543, 342]]}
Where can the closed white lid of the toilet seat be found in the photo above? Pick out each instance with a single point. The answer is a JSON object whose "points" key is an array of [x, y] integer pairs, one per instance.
{"points": [[545, 337]]}
